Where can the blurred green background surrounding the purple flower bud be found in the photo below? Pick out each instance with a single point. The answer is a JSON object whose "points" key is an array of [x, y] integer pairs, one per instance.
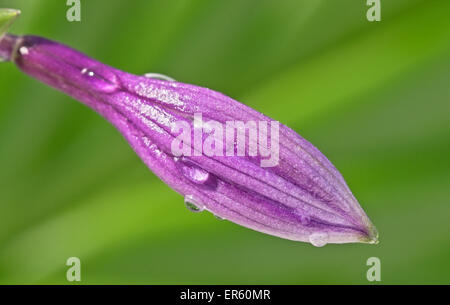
{"points": [[374, 97]]}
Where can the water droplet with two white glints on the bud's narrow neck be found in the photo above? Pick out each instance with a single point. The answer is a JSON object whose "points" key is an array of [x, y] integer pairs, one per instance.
{"points": [[101, 79]]}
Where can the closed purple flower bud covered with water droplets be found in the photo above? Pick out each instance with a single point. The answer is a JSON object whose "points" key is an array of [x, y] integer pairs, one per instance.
{"points": [[219, 154]]}
